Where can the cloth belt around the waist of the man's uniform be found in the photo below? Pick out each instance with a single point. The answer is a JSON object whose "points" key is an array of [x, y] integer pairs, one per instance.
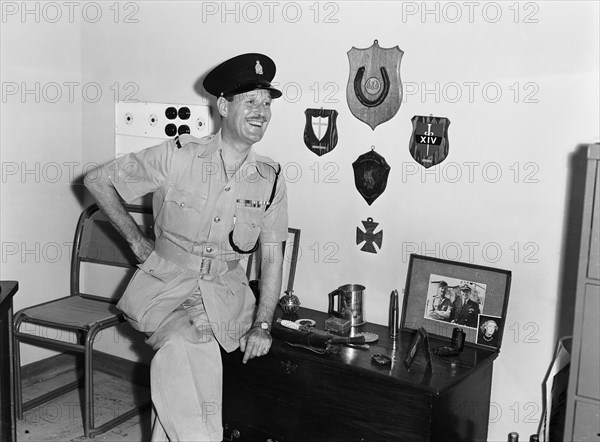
{"points": [[207, 268]]}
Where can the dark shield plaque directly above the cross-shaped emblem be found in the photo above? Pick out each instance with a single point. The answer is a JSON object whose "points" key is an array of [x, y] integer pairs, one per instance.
{"points": [[370, 175]]}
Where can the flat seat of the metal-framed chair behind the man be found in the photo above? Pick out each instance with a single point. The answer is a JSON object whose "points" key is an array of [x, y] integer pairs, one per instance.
{"points": [[73, 312]]}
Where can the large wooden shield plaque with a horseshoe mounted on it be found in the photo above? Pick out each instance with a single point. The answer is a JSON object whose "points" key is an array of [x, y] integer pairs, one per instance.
{"points": [[374, 90]]}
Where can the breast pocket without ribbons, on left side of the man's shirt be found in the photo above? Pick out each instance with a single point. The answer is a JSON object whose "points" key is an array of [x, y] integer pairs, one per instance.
{"points": [[182, 211]]}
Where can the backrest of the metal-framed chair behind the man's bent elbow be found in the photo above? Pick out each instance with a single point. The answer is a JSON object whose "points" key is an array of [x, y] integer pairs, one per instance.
{"points": [[102, 262]]}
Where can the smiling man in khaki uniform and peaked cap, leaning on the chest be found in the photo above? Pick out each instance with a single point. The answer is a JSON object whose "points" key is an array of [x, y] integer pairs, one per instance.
{"points": [[214, 198]]}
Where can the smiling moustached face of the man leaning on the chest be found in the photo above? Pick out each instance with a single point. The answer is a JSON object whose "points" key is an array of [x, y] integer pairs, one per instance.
{"points": [[246, 116]]}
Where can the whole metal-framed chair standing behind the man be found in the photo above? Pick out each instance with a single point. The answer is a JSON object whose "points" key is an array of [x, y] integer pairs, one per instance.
{"points": [[103, 263]]}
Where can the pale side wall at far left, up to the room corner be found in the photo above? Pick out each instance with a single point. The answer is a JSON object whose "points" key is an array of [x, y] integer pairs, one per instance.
{"points": [[41, 154]]}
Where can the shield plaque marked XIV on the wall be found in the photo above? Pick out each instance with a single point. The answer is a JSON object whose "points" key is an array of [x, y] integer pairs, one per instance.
{"points": [[429, 140]]}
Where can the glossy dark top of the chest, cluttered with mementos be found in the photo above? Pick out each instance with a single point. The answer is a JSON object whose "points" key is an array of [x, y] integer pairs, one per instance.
{"points": [[447, 371]]}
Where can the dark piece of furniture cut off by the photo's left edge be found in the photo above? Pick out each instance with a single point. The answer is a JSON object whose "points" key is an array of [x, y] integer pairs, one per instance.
{"points": [[7, 414]]}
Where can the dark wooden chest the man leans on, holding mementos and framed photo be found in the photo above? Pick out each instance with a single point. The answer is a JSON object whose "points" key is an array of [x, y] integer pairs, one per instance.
{"points": [[293, 394]]}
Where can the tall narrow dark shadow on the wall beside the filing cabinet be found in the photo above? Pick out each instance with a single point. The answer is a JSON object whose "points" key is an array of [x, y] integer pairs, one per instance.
{"points": [[571, 241]]}
